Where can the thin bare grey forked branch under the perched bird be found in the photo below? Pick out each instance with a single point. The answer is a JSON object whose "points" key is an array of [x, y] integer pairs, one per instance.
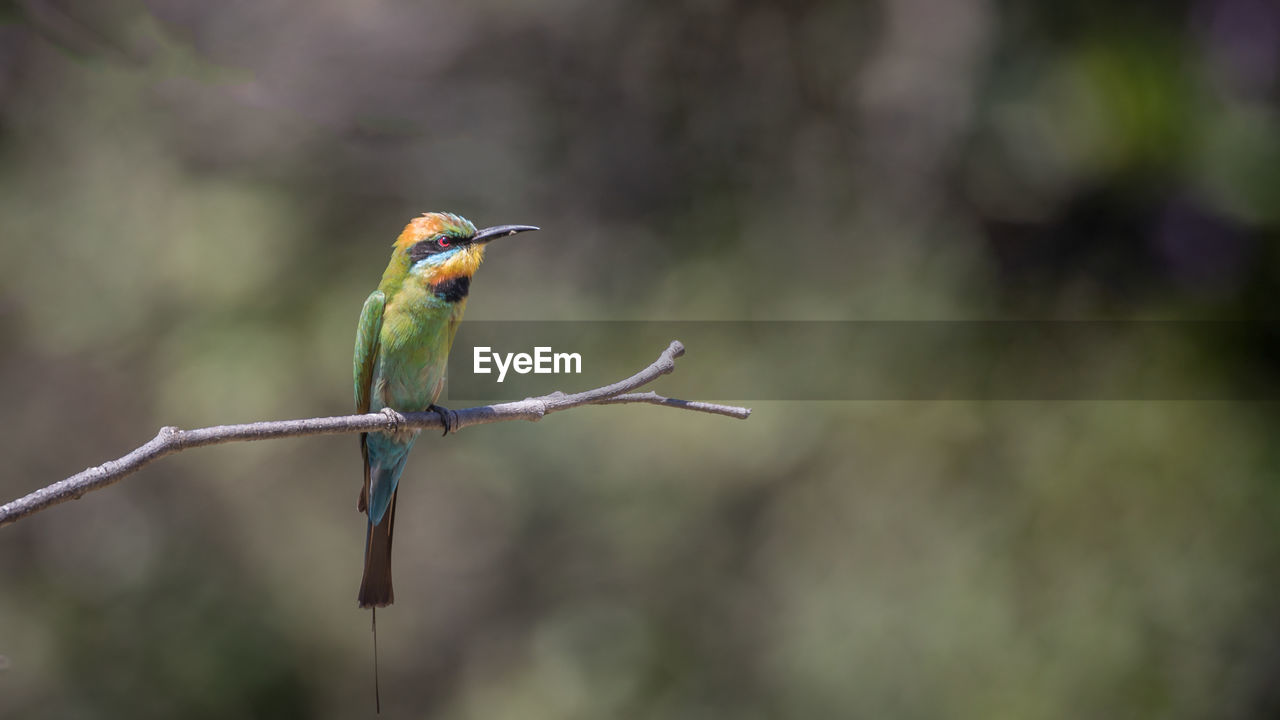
{"points": [[175, 440]]}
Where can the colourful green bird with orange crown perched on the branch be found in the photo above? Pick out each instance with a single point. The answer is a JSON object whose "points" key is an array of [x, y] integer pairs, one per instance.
{"points": [[403, 345]]}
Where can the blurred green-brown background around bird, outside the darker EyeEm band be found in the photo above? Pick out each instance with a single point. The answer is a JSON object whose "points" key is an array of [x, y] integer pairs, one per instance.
{"points": [[196, 198]]}
